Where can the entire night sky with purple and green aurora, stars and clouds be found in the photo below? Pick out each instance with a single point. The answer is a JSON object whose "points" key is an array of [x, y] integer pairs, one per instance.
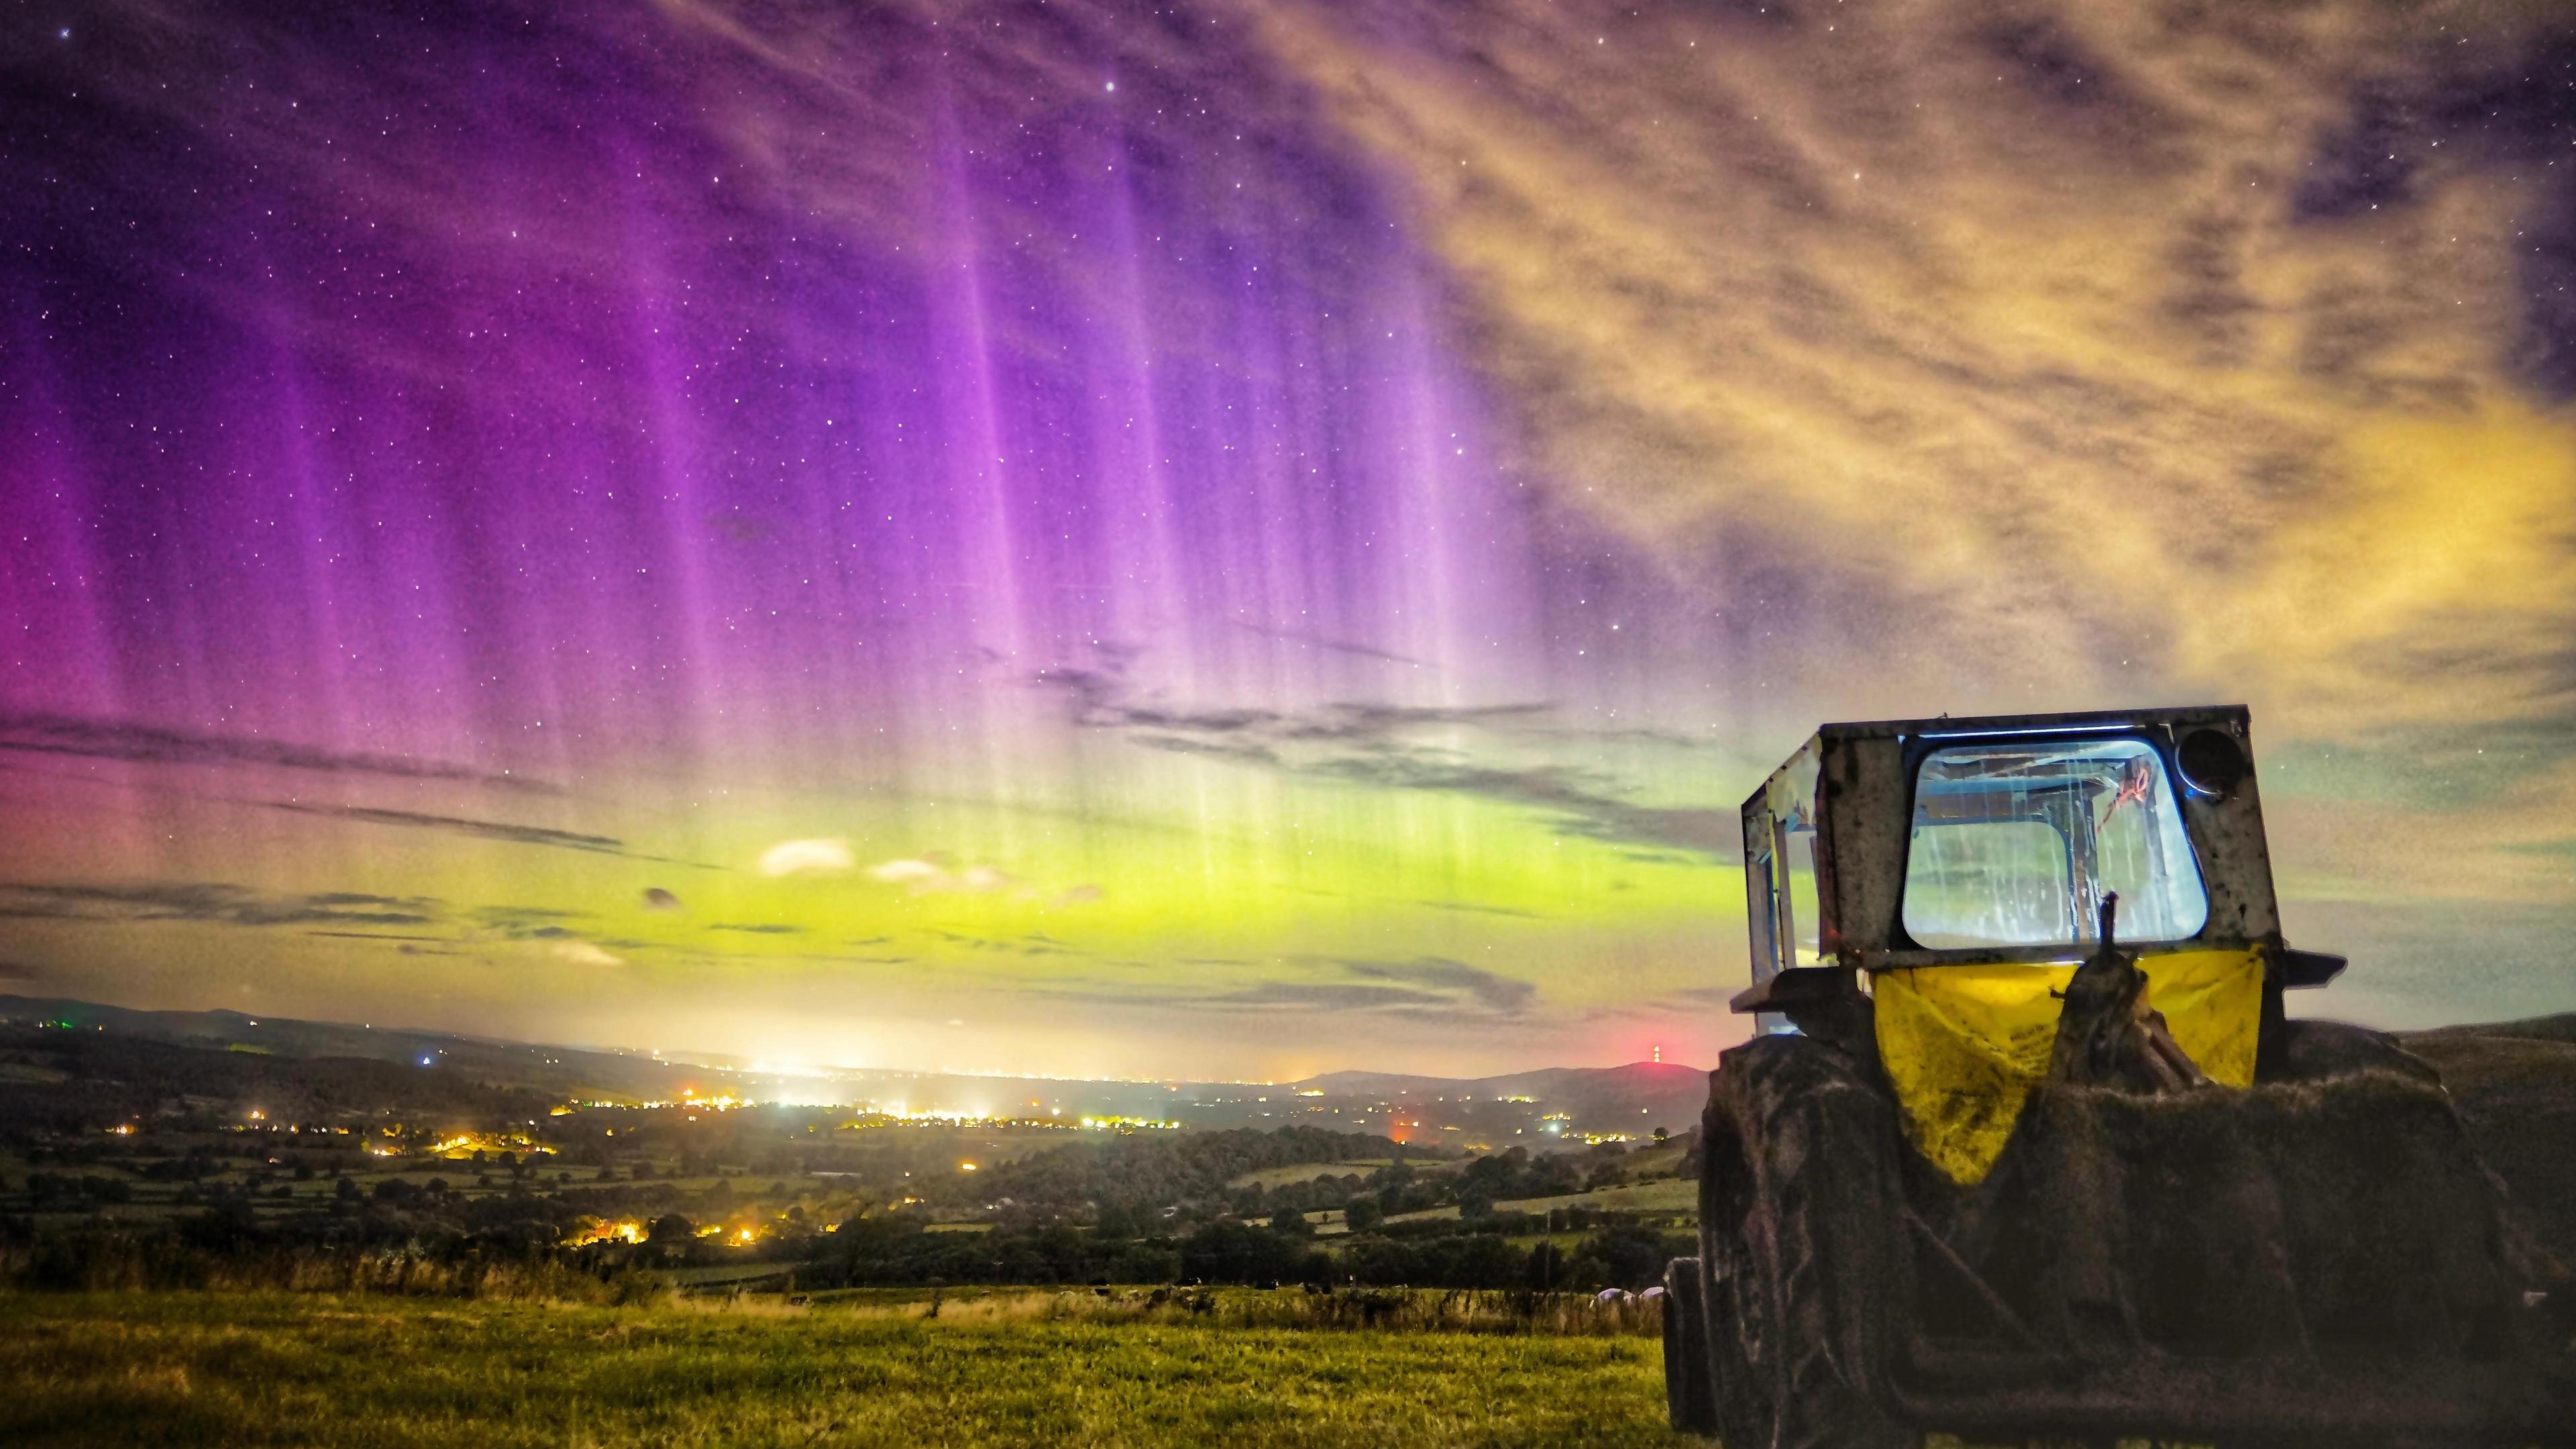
{"points": [[1240, 538]]}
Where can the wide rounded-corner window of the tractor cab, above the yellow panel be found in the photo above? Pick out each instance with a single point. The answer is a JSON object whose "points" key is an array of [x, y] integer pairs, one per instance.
{"points": [[2018, 842]]}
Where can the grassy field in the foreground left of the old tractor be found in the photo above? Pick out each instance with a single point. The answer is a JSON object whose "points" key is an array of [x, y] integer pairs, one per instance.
{"points": [[390, 1373]]}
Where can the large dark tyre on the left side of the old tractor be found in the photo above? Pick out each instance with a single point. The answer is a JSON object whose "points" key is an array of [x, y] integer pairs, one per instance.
{"points": [[1797, 1231]]}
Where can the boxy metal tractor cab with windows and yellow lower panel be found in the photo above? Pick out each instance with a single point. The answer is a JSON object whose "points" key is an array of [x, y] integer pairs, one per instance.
{"points": [[1956, 873]]}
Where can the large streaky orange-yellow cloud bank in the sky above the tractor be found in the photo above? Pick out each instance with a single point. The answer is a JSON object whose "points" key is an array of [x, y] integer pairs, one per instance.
{"points": [[2075, 349]]}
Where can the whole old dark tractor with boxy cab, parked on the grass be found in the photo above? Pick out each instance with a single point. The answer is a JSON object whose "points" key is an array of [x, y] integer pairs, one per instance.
{"points": [[2026, 1143]]}
